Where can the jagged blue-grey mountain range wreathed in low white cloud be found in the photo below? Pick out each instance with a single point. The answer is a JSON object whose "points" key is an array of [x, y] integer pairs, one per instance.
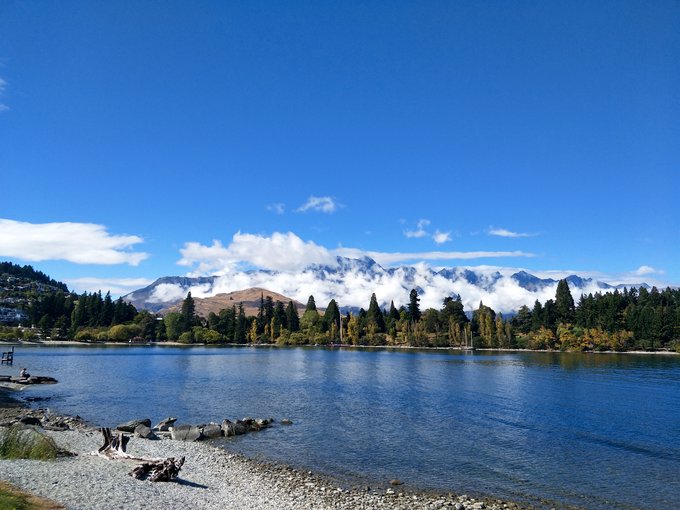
{"points": [[352, 281]]}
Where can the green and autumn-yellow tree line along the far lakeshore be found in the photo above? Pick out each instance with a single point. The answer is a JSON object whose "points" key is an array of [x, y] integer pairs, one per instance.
{"points": [[631, 319]]}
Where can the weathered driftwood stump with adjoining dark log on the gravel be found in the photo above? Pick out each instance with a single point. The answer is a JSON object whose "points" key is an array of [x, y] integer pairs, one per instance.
{"points": [[154, 470]]}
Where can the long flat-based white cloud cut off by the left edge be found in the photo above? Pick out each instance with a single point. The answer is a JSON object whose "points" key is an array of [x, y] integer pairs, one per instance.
{"points": [[80, 243]]}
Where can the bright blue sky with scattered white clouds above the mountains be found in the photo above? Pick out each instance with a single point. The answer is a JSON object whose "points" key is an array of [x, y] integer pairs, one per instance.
{"points": [[540, 135]]}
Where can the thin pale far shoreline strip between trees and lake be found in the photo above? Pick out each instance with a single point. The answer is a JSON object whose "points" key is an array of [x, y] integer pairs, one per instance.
{"points": [[74, 343]]}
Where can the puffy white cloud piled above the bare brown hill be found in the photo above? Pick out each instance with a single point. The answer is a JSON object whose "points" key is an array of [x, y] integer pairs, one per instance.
{"points": [[280, 251]]}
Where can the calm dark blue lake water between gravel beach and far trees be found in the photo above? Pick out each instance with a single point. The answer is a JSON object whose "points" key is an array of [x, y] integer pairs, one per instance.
{"points": [[589, 430]]}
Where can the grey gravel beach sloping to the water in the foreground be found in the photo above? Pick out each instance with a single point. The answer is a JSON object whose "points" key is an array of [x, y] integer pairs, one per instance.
{"points": [[211, 478]]}
